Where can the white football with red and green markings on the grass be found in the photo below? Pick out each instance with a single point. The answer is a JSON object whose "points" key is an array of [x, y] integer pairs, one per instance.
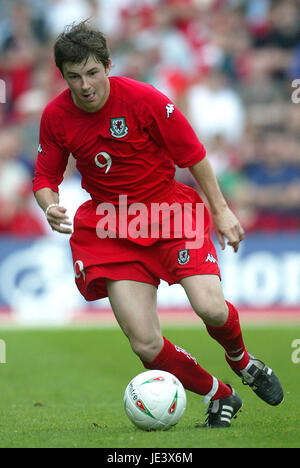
{"points": [[155, 400]]}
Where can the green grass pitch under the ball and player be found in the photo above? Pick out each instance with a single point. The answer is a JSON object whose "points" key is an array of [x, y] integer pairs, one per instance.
{"points": [[63, 388]]}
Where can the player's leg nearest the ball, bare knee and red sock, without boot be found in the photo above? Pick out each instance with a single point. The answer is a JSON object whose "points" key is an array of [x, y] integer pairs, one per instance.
{"points": [[135, 308]]}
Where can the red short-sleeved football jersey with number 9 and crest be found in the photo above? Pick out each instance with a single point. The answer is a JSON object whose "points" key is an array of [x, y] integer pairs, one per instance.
{"points": [[129, 147]]}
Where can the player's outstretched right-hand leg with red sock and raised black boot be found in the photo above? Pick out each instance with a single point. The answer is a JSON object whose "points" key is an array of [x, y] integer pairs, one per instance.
{"points": [[222, 322]]}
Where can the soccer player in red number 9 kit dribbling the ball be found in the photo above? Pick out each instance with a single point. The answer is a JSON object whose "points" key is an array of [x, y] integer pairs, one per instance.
{"points": [[126, 138]]}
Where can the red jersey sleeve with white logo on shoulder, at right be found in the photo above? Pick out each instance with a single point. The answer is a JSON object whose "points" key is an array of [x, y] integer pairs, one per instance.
{"points": [[170, 128]]}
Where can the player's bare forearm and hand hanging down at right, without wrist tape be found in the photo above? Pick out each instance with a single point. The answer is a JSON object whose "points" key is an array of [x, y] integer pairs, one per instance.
{"points": [[226, 224]]}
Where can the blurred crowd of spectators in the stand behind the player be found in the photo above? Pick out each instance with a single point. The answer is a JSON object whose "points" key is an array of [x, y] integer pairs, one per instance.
{"points": [[229, 65]]}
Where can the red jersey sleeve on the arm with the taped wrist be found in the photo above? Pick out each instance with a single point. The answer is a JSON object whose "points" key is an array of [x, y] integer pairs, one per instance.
{"points": [[52, 155]]}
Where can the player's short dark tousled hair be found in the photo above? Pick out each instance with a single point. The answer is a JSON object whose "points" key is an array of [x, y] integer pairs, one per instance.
{"points": [[77, 43]]}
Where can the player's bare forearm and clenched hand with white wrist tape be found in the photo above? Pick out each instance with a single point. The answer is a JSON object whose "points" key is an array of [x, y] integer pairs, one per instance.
{"points": [[56, 215]]}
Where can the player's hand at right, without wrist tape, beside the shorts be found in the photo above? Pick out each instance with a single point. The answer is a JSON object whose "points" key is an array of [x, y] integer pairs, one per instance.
{"points": [[228, 227]]}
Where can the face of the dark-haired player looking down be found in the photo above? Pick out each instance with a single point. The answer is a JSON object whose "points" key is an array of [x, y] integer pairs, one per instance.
{"points": [[89, 83]]}
